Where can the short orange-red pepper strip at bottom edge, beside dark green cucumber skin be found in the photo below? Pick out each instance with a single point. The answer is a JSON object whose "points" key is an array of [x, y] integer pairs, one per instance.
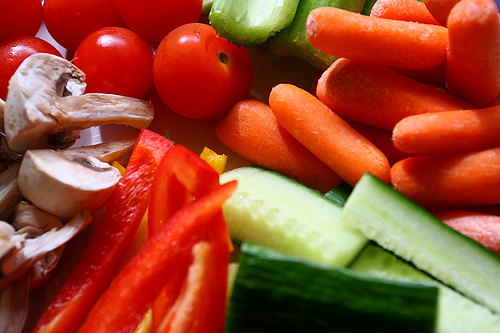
{"points": [[201, 306]]}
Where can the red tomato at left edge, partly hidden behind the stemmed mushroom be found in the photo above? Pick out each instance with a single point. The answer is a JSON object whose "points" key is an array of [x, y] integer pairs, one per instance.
{"points": [[14, 51]]}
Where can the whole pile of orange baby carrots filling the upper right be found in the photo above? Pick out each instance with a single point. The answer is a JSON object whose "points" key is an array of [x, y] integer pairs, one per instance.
{"points": [[412, 98]]}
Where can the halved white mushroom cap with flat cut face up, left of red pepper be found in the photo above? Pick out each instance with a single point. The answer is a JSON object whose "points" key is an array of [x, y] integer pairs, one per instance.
{"points": [[63, 186]]}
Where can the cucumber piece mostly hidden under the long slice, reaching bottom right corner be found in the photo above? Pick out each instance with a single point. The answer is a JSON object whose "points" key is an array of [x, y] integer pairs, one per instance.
{"points": [[457, 313]]}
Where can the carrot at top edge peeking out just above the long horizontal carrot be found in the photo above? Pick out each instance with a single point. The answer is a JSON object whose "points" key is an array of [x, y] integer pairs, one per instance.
{"points": [[403, 10]]}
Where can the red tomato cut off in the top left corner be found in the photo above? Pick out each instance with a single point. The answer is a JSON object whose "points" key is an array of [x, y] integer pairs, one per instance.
{"points": [[20, 18]]}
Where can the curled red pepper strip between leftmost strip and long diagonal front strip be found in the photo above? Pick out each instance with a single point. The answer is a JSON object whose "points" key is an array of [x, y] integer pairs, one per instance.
{"points": [[182, 176]]}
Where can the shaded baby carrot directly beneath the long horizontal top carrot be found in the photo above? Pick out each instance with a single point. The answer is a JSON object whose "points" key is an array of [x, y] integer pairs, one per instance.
{"points": [[378, 96]]}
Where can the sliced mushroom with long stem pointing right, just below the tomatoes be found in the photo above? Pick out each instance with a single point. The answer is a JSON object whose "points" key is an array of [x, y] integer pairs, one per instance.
{"points": [[45, 107]]}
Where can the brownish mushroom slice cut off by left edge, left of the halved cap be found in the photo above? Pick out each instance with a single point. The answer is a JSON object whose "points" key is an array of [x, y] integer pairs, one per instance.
{"points": [[10, 195]]}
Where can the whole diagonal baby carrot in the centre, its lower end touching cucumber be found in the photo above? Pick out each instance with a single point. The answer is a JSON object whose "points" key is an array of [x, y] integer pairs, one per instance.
{"points": [[327, 135]]}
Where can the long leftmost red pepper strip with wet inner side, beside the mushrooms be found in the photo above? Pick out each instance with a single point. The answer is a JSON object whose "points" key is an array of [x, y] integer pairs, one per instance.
{"points": [[103, 255]]}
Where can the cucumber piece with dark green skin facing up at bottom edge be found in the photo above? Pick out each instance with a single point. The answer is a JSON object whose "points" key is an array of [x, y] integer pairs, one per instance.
{"points": [[273, 292]]}
